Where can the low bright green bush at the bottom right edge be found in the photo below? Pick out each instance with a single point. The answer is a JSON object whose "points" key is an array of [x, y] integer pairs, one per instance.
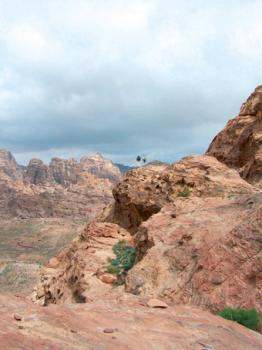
{"points": [[246, 317]]}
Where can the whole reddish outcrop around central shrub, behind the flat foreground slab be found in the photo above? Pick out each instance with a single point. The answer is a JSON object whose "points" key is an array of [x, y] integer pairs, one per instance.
{"points": [[202, 249]]}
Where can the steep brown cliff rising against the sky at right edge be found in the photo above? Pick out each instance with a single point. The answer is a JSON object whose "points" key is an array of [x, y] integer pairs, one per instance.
{"points": [[239, 145]]}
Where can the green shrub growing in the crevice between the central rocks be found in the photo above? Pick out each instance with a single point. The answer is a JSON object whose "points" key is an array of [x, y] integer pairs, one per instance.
{"points": [[124, 261]]}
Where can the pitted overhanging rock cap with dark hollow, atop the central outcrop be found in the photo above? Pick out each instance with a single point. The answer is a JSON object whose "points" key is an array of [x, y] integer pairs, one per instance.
{"points": [[144, 191]]}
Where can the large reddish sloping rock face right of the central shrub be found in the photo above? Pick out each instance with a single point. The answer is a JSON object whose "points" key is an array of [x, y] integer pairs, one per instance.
{"points": [[206, 252]]}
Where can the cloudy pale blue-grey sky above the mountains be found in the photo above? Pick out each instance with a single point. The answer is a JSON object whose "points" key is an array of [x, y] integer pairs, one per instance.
{"points": [[150, 77]]}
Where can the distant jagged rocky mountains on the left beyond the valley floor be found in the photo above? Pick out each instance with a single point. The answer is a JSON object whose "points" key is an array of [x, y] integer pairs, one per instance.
{"points": [[65, 188]]}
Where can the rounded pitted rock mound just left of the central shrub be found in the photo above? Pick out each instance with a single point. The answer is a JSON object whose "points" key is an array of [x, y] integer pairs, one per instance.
{"points": [[80, 271]]}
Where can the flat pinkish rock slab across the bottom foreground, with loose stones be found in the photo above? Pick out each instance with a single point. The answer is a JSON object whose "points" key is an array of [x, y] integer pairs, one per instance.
{"points": [[119, 322]]}
